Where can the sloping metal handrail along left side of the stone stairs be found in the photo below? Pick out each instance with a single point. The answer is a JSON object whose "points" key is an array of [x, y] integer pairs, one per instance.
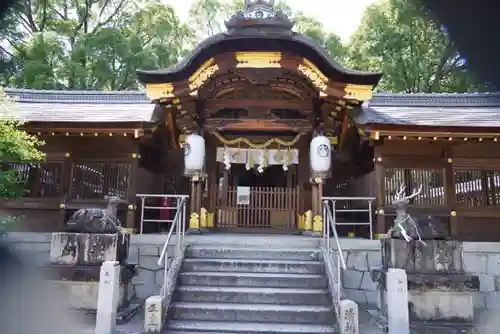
{"points": [[178, 225]]}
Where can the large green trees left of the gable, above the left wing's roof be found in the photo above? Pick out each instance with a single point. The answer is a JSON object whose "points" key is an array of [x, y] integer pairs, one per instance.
{"points": [[70, 44]]}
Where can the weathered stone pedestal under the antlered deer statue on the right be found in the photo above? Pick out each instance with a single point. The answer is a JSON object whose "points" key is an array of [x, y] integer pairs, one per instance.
{"points": [[438, 288]]}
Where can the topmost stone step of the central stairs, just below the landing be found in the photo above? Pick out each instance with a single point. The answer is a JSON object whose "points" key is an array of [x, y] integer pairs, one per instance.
{"points": [[220, 252]]}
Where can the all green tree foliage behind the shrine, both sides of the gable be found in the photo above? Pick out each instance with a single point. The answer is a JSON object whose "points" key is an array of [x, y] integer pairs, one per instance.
{"points": [[98, 45]]}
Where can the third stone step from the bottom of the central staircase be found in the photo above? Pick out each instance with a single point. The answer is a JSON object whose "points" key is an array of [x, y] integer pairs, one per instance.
{"points": [[279, 296]]}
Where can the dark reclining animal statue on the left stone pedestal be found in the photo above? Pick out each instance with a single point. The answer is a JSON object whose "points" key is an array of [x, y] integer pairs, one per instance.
{"points": [[96, 220]]}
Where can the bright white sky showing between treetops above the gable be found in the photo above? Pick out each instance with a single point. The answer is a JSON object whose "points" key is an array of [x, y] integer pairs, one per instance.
{"points": [[339, 16]]}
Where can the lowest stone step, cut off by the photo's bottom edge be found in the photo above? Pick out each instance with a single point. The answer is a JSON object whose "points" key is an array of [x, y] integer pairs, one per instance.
{"points": [[194, 327]]}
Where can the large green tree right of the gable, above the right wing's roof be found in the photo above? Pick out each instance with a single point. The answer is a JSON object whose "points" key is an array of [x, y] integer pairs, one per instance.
{"points": [[399, 38]]}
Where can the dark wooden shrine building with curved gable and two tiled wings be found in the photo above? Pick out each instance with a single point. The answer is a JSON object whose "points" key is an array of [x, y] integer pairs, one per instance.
{"points": [[258, 94]]}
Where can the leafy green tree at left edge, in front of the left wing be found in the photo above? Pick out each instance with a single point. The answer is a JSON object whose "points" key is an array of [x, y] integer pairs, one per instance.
{"points": [[16, 146]]}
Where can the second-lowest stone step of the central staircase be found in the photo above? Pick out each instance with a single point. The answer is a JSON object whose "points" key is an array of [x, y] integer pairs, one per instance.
{"points": [[288, 314]]}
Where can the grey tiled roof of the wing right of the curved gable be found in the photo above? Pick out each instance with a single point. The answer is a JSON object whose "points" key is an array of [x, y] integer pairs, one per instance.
{"points": [[445, 110]]}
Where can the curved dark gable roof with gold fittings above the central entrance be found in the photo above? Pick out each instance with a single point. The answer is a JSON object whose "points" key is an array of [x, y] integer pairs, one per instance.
{"points": [[260, 38]]}
